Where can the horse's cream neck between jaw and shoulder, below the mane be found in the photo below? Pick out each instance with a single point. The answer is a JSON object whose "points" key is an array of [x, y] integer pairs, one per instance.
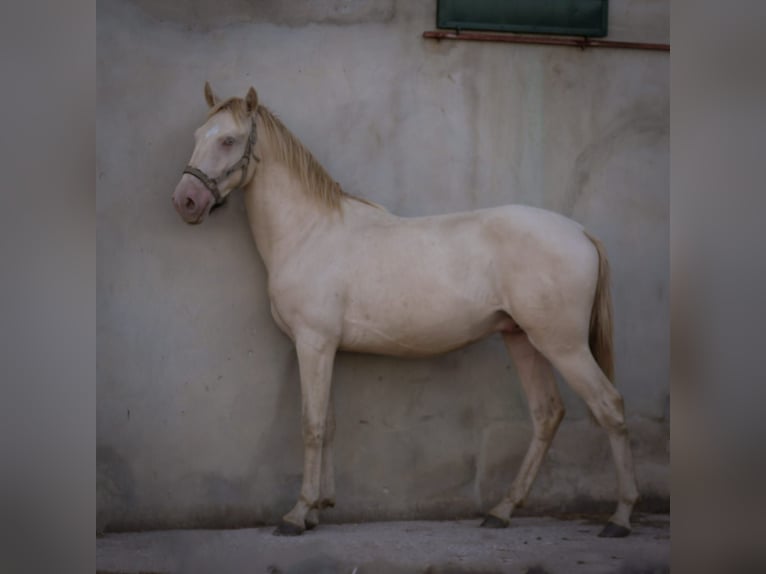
{"points": [[282, 215]]}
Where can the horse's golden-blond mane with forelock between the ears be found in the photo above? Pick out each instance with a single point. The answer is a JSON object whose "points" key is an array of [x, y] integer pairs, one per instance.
{"points": [[289, 149]]}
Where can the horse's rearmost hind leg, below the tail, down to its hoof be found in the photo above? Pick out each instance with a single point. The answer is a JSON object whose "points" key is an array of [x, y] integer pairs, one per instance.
{"points": [[580, 370]]}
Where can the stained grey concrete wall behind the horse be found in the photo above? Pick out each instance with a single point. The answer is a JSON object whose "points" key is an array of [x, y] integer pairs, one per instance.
{"points": [[198, 397]]}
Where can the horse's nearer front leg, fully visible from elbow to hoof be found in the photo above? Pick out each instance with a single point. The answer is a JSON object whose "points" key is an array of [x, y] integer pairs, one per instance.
{"points": [[316, 354]]}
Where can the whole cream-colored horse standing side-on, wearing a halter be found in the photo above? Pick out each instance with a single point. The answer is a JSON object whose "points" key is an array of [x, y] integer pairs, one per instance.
{"points": [[344, 274]]}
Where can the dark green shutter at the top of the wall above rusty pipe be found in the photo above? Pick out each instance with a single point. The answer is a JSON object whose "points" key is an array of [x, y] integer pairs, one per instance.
{"points": [[562, 17]]}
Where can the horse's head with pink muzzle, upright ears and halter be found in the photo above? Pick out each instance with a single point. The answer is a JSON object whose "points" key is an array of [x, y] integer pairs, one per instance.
{"points": [[221, 161]]}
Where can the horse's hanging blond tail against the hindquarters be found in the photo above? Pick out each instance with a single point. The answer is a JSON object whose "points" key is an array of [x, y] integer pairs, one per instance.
{"points": [[600, 335]]}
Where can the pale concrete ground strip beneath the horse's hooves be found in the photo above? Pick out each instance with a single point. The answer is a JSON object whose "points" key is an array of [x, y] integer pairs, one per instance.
{"points": [[530, 545]]}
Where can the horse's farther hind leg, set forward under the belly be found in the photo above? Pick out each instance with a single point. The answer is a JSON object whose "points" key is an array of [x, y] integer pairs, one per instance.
{"points": [[546, 410]]}
